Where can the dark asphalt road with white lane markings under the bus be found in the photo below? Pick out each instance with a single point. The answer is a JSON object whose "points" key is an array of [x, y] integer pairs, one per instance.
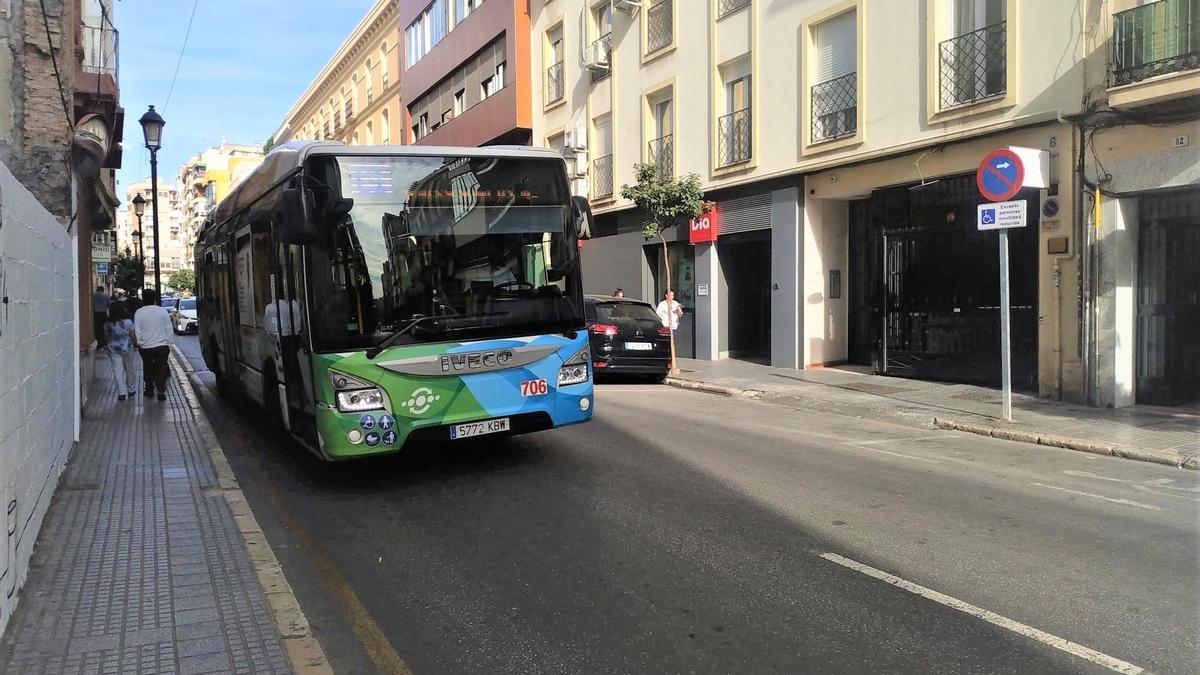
{"points": [[687, 533]]}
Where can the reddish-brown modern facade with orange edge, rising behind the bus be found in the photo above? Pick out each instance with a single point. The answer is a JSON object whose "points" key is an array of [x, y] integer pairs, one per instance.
{"points": [[467, 71]]}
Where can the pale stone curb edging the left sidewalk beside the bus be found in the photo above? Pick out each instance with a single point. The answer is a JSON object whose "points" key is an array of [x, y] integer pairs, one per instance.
{"points": [[304, 653]]}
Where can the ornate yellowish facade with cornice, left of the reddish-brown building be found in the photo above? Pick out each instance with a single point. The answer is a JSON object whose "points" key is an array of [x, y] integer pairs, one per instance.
{"points": [[356, 98]]}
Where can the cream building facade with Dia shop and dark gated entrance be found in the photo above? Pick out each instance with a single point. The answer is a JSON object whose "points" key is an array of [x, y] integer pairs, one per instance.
{"points": [[839, 141]]}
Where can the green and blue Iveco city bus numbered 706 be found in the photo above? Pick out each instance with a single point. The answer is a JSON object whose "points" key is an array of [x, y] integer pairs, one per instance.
{"points": [[370, 298]]}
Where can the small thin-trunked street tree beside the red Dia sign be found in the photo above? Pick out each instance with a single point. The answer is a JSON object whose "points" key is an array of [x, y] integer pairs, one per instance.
{"points": [[667, 202]]}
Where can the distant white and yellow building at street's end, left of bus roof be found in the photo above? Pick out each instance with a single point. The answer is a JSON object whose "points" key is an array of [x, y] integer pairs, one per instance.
{"points": [[205, 181]]}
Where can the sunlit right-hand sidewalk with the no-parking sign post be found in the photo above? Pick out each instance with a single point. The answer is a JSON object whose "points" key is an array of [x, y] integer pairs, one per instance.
{"points": [[1168, 437]]}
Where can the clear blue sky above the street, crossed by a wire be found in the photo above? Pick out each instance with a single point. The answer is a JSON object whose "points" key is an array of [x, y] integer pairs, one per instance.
{"points": [[245, 65]]}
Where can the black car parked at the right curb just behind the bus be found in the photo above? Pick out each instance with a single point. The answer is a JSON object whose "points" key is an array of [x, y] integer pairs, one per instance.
{"points": [[627, 338]]}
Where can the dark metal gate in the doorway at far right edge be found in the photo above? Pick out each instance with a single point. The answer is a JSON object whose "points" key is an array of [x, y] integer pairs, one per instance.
{"points": [[1169, 300]]}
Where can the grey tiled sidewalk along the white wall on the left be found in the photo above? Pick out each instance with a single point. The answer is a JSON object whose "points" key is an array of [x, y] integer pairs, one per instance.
{"points": [[142, 566]]}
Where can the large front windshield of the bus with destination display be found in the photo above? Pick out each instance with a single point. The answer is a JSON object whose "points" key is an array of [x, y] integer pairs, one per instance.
{"points": [[425, 249]]}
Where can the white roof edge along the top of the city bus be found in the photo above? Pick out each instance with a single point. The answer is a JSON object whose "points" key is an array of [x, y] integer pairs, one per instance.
{"points": [[286, 159]]}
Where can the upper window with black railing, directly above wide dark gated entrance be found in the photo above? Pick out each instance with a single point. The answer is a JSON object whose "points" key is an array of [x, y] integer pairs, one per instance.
{"points": [[974, 59]]}
